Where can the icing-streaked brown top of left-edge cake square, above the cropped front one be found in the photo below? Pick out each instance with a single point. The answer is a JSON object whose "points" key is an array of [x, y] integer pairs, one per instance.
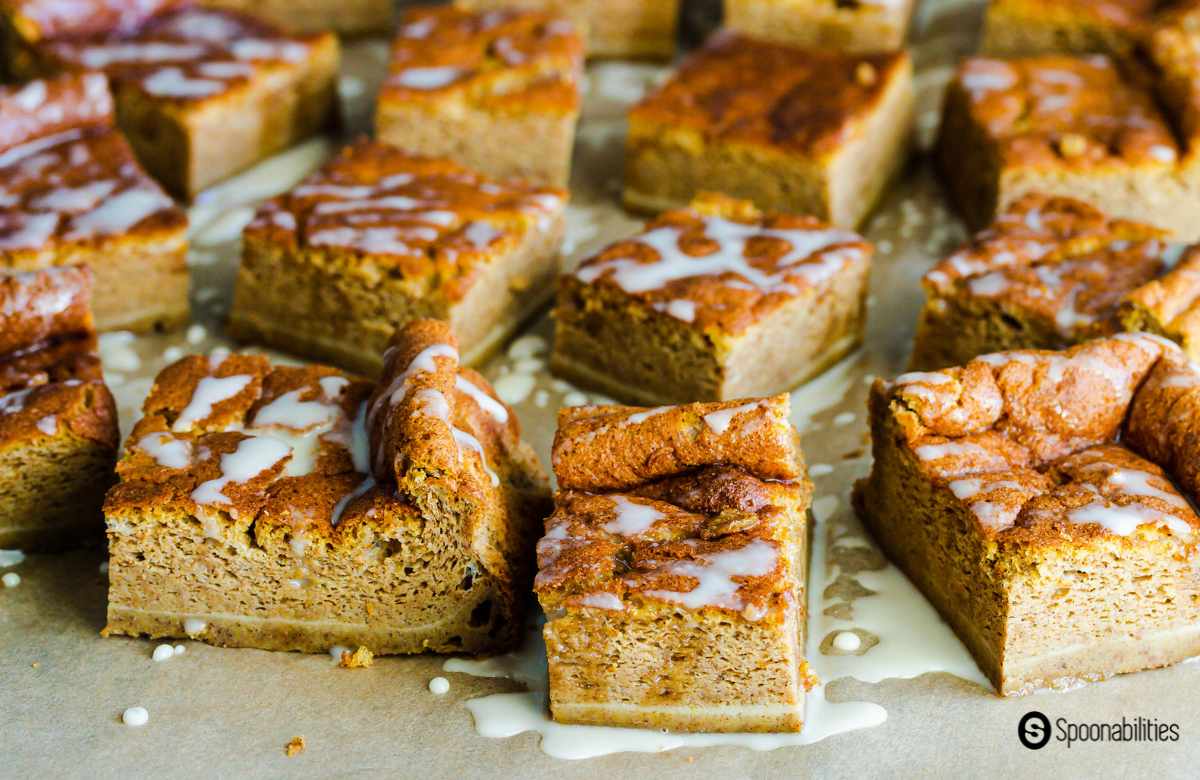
{"points": [[74, 185]]}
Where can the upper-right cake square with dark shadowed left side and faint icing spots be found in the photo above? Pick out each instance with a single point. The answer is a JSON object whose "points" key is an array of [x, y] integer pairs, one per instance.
{"points": [[1078, 128]]}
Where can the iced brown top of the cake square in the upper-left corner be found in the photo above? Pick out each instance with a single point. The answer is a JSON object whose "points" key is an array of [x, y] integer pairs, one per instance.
{"points": [[188, 56]]}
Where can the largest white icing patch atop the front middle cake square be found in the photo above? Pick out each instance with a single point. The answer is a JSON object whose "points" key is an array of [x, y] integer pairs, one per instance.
{"points": [[715, 575]]}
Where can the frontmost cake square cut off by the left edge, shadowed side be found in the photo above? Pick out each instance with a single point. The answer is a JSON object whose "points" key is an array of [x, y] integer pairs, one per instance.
{"points": [[58, 421]]}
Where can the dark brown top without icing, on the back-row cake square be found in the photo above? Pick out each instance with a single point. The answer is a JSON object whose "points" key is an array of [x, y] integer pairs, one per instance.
{"points": [[806, 103]]}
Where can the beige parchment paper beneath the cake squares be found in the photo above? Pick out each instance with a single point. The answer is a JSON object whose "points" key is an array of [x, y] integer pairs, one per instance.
{"points": [[230, 713]]}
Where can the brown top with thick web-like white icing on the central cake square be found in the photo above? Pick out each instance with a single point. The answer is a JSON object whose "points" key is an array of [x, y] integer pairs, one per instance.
{"points": [[723, 266]]}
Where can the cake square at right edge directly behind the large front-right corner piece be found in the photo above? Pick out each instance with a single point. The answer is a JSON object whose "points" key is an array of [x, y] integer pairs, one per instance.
{"points": [[1051, 273]]}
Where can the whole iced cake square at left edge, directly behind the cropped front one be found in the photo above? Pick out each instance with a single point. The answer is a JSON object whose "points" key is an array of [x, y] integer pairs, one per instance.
{"points": [[71, 193]]}
